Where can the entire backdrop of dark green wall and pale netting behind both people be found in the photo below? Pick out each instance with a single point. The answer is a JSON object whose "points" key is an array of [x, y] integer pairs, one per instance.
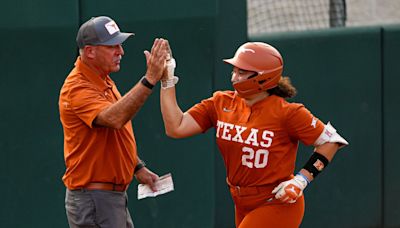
{"points": [[341, 55]]}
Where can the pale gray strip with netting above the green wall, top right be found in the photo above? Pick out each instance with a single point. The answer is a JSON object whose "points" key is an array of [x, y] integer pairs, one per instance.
{"points": [[266, 16]]}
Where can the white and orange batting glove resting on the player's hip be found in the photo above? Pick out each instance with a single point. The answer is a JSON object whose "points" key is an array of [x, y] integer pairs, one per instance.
{"points": [[289, 191]]}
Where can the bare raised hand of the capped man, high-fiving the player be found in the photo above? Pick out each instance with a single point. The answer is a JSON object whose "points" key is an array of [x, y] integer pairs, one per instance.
{"points": [[156, 60]]}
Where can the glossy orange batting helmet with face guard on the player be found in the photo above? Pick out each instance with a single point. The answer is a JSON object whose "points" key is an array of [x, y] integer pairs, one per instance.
{"points": [[261, 58]]}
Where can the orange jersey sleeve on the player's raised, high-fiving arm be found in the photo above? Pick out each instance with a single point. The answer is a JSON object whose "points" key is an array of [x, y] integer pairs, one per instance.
{"points": [[204, 113]]}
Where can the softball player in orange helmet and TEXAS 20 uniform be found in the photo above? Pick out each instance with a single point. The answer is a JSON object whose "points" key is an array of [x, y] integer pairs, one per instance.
{"points": [[257, 132]]}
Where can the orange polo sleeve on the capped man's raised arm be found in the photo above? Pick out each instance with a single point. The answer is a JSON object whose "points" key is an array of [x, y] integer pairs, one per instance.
{"points": [[87, 102]]}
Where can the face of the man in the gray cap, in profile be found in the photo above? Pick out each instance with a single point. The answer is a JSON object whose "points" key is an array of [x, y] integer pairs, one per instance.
{"points": [[108, 58]]}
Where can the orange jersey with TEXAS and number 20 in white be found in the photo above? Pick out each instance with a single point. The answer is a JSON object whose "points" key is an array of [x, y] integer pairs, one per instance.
{"points": [[258, 143]]}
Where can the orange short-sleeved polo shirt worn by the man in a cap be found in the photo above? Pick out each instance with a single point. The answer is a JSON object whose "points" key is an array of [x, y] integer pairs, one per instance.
{"points": [[92, 153]]}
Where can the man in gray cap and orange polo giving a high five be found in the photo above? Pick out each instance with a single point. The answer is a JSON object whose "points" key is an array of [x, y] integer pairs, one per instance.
{"points": [[99, 144]]}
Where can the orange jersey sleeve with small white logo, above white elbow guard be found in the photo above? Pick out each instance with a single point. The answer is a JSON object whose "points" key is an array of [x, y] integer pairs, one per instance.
{"points": [[303, 125]]}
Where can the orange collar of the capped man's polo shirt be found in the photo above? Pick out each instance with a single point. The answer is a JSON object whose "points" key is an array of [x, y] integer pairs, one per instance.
{"points": [[93, 76]]}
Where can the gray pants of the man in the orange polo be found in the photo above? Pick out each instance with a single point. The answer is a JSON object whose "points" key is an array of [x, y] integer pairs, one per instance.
{"points": [[97, 208]]}
